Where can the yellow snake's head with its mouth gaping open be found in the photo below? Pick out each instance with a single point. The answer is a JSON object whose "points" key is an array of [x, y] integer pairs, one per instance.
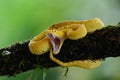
{"points": [[56, 38]]}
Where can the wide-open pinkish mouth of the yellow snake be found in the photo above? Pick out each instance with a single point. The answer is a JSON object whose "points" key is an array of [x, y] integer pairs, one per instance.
{"points": [[56, 42]]}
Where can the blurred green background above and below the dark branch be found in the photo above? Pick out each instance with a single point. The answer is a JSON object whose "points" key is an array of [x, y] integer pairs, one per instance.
{"points": [[23, 19]]}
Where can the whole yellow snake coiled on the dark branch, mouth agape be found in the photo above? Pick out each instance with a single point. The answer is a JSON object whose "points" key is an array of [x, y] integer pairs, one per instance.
{"points": [[53, 38]]}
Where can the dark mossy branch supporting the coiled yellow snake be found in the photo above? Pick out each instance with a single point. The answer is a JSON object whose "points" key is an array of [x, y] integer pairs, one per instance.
{"points": [[98, 45]]}
